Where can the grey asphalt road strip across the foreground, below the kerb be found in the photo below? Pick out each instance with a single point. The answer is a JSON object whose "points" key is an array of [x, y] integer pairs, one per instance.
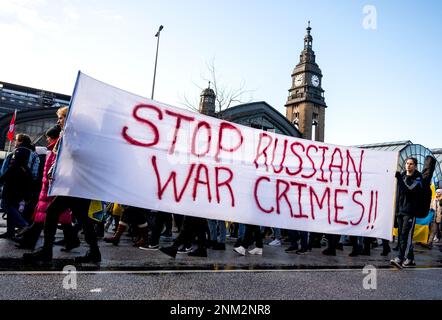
{"points": [[239, 285]]}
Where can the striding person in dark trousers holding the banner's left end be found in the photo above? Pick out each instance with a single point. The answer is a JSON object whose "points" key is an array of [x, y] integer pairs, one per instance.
{"points": [[79, 208]]}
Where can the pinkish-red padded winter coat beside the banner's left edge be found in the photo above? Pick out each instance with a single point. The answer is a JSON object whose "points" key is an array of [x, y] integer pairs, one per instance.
{"points": [[44, 200]]}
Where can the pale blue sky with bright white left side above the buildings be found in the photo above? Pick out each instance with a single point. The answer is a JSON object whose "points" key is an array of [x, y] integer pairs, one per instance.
{"points": [[380, 85]]}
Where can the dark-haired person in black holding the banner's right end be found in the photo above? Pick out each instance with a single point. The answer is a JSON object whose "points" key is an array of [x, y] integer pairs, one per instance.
{"points": [[410, 194]]}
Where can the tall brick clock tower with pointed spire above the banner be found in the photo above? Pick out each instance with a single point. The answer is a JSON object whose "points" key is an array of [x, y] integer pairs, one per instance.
{"points": [[306, 104]]}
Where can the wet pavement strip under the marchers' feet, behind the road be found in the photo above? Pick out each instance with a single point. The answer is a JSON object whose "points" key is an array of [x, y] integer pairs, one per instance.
{"points": [[127, 258]]}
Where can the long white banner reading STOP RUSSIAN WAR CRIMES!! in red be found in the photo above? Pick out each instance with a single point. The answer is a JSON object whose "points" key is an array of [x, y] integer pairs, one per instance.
{"points": [[120, 147]]}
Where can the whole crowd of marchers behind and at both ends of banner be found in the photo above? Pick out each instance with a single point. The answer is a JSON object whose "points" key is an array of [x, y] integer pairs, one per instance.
{"points": [[26, 177]]}
